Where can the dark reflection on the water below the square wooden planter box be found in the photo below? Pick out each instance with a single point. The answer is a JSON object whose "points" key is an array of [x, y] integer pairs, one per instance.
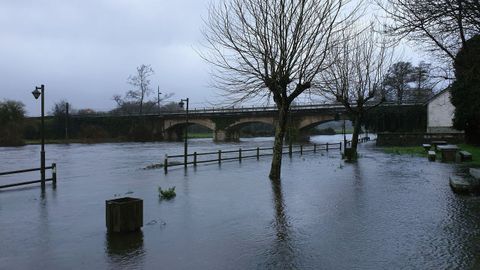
{"points": [[126, 250]]}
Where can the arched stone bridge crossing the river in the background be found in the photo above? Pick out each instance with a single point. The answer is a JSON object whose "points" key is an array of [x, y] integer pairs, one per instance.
{"points": [[226, 123]]}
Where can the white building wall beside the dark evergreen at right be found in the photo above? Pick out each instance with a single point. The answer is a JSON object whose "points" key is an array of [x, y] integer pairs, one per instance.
{"points": [[440, 112]]}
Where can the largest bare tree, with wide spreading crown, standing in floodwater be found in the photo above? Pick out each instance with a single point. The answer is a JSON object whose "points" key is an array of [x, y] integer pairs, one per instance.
{"points": [[272, 49]]}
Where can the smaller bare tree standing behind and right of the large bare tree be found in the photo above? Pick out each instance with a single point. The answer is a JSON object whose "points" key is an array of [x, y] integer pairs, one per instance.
{"points": [[360, 65]]}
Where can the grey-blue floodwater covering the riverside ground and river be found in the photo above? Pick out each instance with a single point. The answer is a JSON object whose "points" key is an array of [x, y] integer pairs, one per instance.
{"points": [[384, 212]]}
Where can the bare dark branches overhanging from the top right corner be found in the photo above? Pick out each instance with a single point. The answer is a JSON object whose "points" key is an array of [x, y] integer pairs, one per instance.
{"points": [[440, 26]]}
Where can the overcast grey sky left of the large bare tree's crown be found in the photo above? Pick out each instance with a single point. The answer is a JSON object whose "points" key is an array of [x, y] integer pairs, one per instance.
{"points": [[84, 50]]}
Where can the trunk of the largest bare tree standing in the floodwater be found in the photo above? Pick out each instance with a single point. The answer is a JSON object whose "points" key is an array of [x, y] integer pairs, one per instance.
{"points": [[280, 131]]}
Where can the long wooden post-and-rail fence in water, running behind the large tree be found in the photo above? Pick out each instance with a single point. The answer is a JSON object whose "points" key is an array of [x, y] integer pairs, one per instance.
{"points": [[241, 154]]}
